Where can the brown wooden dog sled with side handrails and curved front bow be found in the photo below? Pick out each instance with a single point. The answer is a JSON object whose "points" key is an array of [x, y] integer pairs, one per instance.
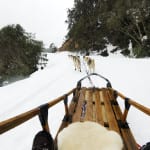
{"points": [[88, 104]]}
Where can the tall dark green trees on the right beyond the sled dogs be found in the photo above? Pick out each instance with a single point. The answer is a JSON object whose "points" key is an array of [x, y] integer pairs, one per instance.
{"points": [[93, 24]]}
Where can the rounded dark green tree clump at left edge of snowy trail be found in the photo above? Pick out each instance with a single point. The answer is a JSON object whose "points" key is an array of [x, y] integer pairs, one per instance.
{"points": [[19, 52]]}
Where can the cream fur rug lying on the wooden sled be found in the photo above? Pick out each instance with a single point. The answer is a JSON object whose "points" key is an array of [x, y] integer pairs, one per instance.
{"points": [[88, 136]]}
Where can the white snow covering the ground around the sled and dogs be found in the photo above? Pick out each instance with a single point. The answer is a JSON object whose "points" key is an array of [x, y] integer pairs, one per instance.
{"points": [[129, 76]]}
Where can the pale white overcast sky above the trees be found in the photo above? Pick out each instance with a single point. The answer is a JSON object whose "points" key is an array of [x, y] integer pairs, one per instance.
{"points": [[44, 18]]}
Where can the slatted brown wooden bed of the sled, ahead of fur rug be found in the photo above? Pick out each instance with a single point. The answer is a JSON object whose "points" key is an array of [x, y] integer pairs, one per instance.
{"points": [[100, 105]]}
